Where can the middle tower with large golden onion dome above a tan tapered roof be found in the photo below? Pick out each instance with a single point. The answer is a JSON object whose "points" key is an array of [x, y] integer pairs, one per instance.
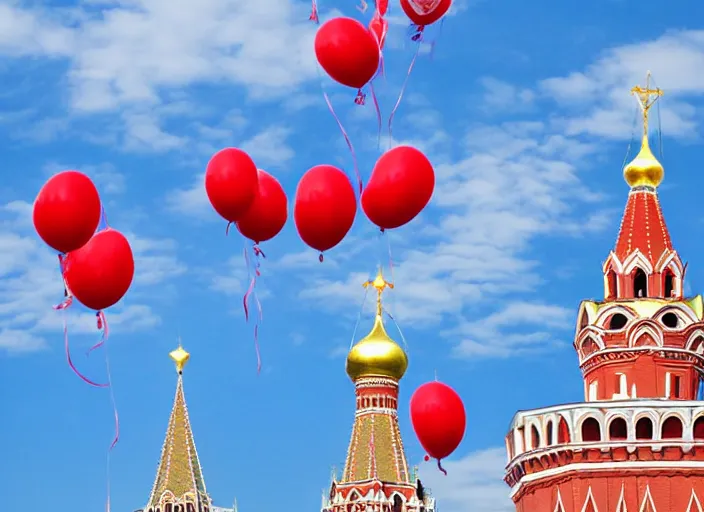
{"points": [[376, 477]]}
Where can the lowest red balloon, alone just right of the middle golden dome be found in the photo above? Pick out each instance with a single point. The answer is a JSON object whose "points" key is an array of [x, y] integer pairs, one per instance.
{"points": [[438, 418]]}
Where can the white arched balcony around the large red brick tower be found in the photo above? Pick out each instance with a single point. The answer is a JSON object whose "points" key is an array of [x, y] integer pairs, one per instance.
{"points": [[615, 436]]}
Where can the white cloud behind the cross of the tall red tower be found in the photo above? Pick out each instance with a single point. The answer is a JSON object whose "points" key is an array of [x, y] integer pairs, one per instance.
{"points": [[597, 101]]}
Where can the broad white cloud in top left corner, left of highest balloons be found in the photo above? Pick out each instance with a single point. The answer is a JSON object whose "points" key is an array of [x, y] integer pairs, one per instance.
{"points": [[126, 52]]}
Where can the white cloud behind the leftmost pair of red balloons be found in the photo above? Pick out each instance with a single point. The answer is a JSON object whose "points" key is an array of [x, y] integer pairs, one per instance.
{"points": [[30, 284]]}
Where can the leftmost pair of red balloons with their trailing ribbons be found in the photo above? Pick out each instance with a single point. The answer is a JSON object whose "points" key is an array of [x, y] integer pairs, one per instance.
{"points": [[97, 265]]}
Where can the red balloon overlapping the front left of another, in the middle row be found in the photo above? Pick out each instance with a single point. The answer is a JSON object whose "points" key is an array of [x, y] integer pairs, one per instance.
{"points": [[231, 183]]}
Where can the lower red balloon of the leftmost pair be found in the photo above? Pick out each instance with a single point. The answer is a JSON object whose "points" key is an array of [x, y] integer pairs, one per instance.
{"points": [[99, 274]]}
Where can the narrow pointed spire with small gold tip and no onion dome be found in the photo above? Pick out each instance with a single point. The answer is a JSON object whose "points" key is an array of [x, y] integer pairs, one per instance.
{"points": [[179, 485]]}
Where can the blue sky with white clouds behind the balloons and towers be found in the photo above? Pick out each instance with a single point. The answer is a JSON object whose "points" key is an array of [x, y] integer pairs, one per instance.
{"points": [[523, 109]]}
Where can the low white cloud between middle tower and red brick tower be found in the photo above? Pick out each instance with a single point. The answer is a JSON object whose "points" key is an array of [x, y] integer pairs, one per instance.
{"points": [[473, 483]]}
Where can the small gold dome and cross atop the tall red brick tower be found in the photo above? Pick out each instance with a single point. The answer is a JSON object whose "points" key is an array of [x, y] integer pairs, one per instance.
{"points": [[645, 170]]}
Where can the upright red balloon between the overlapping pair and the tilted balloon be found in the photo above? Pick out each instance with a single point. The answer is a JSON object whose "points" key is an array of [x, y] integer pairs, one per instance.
{"points": [[325, 207]]}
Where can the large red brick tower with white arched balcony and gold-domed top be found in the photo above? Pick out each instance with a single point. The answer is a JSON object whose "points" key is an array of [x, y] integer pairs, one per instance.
{"points": [[636, 444]]}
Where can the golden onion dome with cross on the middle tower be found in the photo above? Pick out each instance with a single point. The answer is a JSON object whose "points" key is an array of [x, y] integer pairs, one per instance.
{"points": [[377, 355]]}
